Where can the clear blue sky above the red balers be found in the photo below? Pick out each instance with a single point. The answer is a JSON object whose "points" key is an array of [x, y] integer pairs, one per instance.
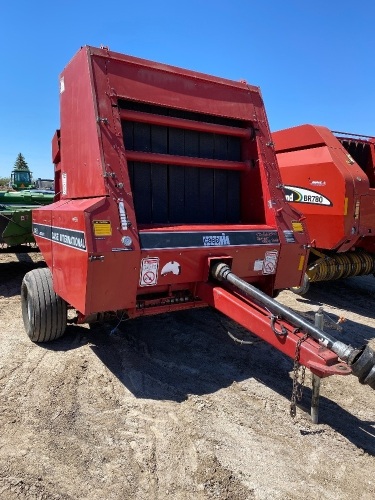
{"points": [[312, 59]]}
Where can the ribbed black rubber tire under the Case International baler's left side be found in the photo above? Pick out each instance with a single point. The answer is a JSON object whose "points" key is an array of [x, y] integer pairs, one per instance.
{"points": [[44, 313]]}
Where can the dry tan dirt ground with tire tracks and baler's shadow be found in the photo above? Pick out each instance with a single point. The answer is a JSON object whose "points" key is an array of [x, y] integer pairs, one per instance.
{"points": [[170, 407]]}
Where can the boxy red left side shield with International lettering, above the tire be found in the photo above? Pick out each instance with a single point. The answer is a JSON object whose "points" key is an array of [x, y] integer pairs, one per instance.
{"points": [[92, 276]]}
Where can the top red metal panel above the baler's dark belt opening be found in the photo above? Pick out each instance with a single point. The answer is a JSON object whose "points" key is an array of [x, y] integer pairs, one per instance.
{"points": [[145, 81]]}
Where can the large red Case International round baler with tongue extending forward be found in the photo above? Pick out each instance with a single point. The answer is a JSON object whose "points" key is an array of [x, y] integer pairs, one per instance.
{"points": [[171, 198]]}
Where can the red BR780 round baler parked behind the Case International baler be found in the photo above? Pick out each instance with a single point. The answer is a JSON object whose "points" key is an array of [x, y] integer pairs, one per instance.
{"points": [[330, 177]]}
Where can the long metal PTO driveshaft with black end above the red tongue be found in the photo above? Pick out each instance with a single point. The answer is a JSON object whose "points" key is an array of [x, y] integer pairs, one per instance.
{"points": [[360, 361]]}
